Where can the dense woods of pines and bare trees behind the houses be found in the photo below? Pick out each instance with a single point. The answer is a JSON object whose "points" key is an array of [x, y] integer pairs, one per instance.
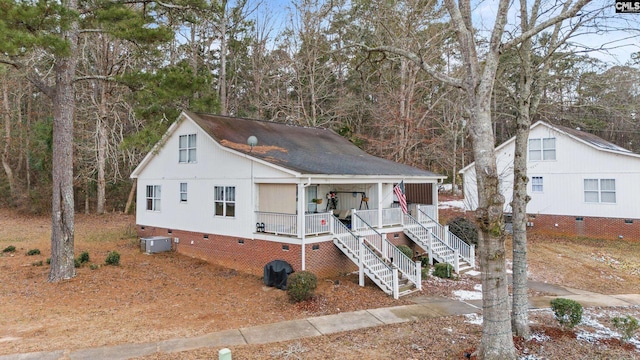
{"points": [[307, 65]]}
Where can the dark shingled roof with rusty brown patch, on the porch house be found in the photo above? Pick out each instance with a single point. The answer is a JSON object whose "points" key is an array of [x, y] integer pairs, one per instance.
{"points": [[307, 150]]}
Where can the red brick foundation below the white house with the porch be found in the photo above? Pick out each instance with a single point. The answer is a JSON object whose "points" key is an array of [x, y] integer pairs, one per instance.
{"points": [[324, 259]]}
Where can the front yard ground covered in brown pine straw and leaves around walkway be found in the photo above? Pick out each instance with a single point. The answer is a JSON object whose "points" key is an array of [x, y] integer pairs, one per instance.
{"points": [[163, 296]]}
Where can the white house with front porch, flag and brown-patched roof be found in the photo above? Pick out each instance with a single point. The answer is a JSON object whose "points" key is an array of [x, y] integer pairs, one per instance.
{"points": [[241, 193]]}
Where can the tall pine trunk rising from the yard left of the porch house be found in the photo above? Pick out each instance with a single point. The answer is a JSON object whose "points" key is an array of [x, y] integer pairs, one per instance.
{"points": [[63, 217]]}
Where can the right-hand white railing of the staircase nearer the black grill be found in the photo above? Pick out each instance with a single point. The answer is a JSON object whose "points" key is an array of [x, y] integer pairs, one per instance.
{"points": [[405, 264]]}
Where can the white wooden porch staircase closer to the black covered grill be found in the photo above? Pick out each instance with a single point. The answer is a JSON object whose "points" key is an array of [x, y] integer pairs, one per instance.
{"points": [[371, 253]]}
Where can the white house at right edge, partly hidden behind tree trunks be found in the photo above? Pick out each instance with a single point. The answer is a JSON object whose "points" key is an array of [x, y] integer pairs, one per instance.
{"points": [[578, 183]]}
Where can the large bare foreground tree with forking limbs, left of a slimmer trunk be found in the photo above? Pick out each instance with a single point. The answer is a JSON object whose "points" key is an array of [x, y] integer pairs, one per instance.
{"points": [[477, 80]]}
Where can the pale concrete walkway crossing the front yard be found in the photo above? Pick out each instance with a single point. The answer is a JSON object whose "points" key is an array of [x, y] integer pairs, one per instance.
{"points": [[424, 307]]}
